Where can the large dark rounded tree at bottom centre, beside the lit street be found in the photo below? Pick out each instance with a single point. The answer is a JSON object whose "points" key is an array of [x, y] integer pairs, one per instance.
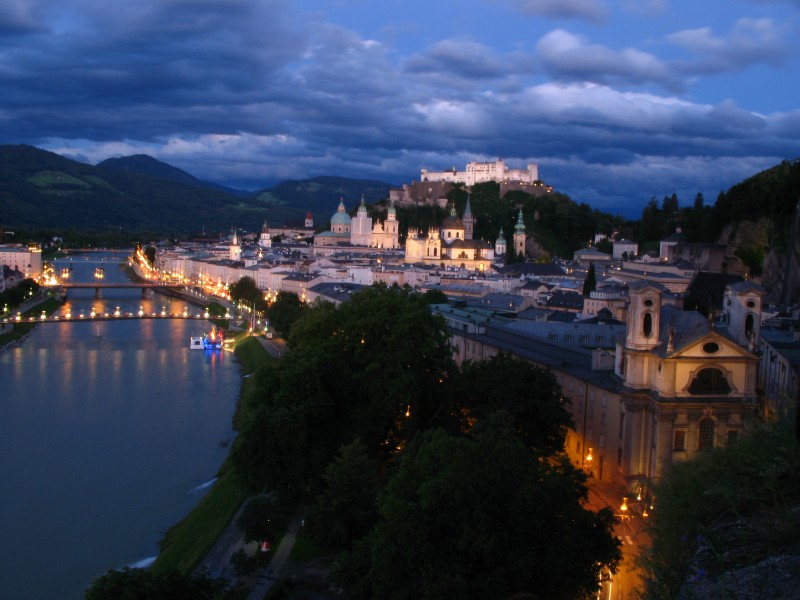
{"points": [[480, 518]]}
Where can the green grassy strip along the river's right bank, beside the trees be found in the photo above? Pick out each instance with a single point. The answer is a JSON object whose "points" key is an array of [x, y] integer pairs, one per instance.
{"points": [[189, 541]]}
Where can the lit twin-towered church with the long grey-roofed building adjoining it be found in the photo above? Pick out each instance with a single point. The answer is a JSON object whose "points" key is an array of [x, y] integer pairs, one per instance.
{"points": [[652, 392]]}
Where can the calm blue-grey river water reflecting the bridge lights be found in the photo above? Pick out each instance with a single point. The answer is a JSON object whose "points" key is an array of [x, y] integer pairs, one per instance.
{"points": [[108, 434]]}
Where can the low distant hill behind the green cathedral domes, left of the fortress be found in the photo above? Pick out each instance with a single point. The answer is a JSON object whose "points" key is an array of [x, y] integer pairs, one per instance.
{"points": [[321, 195]]}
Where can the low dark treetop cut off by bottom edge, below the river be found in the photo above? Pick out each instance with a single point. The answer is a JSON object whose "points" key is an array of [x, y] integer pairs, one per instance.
{"points": [[143, 584]]}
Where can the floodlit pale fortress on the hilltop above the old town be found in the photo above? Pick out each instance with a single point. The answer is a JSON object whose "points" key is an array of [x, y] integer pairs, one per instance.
{"points": [[433, 186]]}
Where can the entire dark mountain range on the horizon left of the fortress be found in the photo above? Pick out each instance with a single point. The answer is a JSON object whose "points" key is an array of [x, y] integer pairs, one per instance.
{"points": [[43, 190]]}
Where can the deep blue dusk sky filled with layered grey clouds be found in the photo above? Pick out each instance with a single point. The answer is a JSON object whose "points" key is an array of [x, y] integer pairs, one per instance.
{"points": [[615, 100]]}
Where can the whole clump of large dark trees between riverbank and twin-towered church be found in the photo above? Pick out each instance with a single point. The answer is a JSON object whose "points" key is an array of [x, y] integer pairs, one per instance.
{"points": [[409, 463]]}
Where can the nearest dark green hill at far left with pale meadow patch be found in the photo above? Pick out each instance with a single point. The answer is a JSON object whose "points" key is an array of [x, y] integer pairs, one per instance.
{"points": [[43, 190]]}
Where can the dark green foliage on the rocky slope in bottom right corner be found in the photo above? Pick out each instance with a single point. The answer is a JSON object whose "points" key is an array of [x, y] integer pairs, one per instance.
{"points": [[755, 481]]}
